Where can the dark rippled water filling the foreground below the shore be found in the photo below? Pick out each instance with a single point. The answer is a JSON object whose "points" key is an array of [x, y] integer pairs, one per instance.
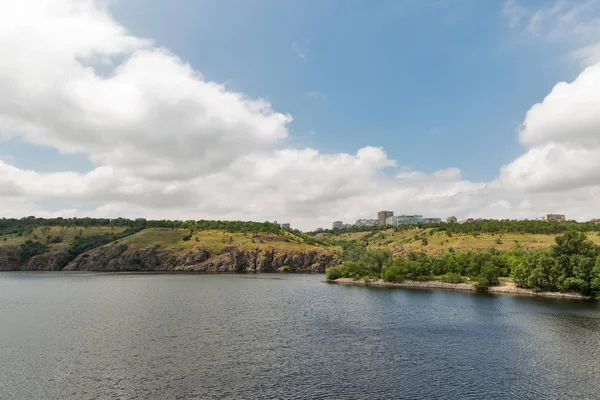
{"points": [[108, 336]]}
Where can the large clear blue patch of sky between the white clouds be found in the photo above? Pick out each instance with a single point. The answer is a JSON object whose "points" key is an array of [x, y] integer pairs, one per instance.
{"points": [[437, 84]]}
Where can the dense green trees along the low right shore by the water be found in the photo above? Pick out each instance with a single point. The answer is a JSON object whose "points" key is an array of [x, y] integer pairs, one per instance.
{"points": [[572, 264]]}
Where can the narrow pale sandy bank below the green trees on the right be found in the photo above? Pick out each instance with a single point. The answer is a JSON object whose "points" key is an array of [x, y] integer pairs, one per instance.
{"points": [[502, 288]]}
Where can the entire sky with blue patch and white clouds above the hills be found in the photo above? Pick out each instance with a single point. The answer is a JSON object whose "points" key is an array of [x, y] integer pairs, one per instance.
{"points": [[301, 112]]}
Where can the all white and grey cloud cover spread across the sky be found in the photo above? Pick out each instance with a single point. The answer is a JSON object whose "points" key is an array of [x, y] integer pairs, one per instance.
{"points": [[167, 143]]}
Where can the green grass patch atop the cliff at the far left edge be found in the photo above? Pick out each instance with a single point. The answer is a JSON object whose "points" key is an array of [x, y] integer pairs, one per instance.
{"points": [[67, 234]]}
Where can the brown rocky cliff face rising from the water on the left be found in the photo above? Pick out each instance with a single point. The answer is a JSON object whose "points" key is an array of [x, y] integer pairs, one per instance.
{"points": [[121, 258]]}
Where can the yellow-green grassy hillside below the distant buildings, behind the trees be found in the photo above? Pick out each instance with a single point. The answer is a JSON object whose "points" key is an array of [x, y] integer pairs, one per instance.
{"points": [[436, 241]]}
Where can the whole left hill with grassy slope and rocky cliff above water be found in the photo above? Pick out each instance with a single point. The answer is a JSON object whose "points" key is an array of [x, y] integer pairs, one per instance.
{"points": [[136, 247]]}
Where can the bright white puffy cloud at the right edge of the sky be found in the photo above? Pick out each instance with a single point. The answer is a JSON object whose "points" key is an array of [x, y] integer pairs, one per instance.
{"points": [[563, 133]]}
